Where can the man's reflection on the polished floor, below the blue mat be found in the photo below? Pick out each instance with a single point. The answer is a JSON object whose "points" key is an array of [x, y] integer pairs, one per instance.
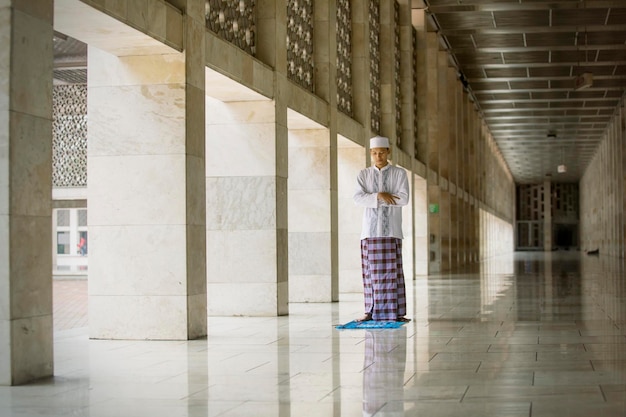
{"points": [[383, 376]]}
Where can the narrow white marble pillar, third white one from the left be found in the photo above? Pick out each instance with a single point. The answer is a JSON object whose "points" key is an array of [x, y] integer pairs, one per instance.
{"points": [[309, 216]]}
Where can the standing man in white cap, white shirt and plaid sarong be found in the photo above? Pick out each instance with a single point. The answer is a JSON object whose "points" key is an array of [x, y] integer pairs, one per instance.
{"points": [[382, 189]]}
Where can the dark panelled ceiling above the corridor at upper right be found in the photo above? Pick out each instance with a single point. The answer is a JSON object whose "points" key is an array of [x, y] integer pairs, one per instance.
{"points": [[521, 59]]}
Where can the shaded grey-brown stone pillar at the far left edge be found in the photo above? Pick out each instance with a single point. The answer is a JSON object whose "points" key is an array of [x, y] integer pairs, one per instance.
{"points": [[26, 323]]}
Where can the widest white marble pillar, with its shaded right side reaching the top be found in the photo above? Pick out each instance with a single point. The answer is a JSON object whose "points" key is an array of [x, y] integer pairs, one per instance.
{"points": [[146, 191]]}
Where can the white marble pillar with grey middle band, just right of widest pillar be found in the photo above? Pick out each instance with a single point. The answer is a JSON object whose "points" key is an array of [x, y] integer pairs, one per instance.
{"points": [[246, 239]]}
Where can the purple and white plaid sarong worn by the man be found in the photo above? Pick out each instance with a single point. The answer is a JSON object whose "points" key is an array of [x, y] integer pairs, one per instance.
{"points": [[383, 278]]}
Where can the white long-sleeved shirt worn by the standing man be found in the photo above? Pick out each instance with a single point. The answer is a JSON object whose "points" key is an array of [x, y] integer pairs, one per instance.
{"points": [[381, 219]]}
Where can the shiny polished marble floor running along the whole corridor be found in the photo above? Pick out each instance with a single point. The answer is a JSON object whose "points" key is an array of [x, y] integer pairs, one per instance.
{"points": [[530, 335]]}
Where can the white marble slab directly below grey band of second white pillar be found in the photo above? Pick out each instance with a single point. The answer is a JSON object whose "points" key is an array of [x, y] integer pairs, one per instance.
{"points": [[241, 256]]}
